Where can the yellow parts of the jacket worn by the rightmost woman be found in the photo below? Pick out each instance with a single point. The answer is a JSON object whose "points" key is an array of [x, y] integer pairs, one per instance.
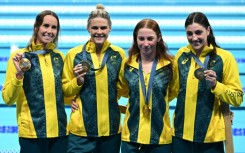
{"points": [[229, 90]]}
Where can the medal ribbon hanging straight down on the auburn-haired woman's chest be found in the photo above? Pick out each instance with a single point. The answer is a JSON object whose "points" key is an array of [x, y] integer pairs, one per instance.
{"points": [[153, 70]]}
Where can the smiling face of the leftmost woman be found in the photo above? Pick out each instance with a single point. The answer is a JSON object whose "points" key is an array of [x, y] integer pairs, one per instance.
{"points": [[47, 31]]}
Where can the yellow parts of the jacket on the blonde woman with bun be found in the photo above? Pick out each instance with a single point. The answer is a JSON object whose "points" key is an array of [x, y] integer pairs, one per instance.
{"points": [[77, 123]]}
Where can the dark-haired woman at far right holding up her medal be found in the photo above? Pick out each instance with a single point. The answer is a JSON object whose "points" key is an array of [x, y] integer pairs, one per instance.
{"points": [[207, 81]]}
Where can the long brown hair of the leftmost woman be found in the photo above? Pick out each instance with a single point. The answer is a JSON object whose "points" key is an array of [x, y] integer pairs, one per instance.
{"points": [[39, 22]]}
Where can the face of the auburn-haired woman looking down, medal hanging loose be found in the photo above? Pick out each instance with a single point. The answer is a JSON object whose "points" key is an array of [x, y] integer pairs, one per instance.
{"points": [[147, 41]]}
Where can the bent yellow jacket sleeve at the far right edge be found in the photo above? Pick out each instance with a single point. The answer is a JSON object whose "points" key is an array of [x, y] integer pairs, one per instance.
{"points": [[230, 90]]}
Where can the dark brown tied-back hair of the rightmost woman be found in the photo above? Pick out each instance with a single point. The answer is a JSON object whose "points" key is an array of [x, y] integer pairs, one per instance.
{"points": [[200, 18]]}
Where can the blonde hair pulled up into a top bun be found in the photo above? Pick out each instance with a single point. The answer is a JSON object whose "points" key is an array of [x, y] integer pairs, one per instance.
{"points": [[101, 13]]}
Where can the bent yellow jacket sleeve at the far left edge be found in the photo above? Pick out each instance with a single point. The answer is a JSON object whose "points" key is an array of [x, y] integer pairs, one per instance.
{"points": [[12, 87]]}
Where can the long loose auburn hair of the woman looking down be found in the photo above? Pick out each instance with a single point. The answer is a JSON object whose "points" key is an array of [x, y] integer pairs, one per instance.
{"points": [[161, 47]]}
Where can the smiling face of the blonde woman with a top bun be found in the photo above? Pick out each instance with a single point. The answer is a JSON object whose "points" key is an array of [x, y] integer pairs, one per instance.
{"points": [[99, 30]]}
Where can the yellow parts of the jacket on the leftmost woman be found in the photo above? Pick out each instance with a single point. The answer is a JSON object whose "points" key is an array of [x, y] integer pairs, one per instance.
{"points": [[13, 92]]}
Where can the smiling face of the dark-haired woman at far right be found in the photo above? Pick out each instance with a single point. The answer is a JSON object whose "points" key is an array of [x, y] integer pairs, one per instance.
{"points": [[197, 36]]}
